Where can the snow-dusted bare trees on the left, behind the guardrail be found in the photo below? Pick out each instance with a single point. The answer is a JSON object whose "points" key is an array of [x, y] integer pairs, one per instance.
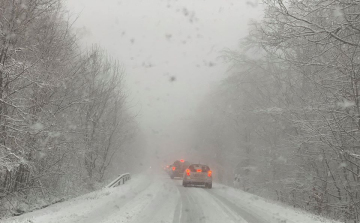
{"points": [[63, 117]]}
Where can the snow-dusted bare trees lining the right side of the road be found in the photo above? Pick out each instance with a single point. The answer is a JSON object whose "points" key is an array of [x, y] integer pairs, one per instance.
{"points": [[287, 119]]}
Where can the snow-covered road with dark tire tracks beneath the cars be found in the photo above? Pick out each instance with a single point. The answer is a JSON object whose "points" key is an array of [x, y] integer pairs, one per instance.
{"points": [[157, 198]]}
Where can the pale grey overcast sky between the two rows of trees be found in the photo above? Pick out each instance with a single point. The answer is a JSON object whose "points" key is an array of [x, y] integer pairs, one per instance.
{"points": [[170, 50]]}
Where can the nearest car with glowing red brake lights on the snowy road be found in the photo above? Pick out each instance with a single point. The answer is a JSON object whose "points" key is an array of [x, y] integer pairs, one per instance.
{"points": [[197, 174]]}
